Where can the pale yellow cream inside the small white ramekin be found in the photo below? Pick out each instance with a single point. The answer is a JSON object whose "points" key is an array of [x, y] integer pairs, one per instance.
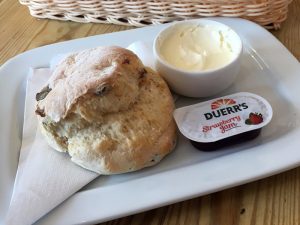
{"points": [[194, 47]]}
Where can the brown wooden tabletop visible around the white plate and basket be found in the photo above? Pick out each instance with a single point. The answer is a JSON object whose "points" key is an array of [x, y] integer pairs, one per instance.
{"points": [[274, 200]]}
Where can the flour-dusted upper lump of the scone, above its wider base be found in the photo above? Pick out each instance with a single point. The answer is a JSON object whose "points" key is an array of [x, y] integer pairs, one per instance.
{"points": [[88, 72]]}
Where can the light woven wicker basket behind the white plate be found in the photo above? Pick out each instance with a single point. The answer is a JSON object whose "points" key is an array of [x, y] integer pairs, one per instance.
{"points": [[268, 13]]}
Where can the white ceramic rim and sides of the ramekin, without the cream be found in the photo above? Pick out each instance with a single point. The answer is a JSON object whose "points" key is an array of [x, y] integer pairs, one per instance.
{"points": [[199, 83]]}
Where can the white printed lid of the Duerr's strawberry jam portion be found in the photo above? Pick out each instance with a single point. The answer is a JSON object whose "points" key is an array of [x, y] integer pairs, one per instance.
{"points": [[223, 117]]}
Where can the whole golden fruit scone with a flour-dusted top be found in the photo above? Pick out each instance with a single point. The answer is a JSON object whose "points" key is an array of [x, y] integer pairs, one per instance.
{"points": [[107, 111]]}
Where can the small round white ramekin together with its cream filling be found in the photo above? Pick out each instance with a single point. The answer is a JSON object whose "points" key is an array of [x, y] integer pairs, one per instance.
{"points": [[198, 83]]}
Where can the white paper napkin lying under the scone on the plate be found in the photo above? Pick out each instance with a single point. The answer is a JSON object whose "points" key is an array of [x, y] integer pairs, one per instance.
{"points": [[45, 177]]}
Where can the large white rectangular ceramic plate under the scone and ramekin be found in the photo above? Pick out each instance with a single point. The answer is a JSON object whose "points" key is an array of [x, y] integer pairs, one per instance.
{"points": [[267, 69]]}
